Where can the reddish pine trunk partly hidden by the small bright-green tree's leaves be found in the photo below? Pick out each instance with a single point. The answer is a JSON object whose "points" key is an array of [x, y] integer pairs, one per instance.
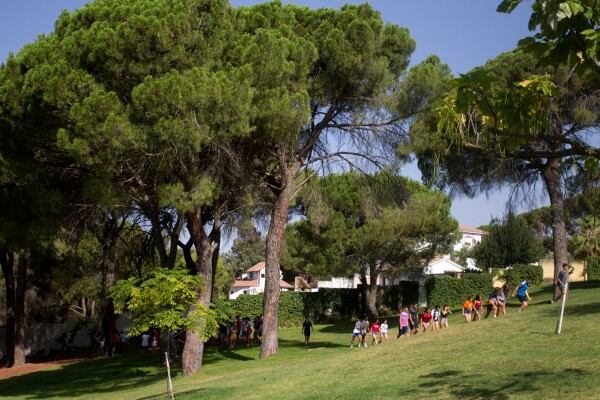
{"points": [[194, 346]]}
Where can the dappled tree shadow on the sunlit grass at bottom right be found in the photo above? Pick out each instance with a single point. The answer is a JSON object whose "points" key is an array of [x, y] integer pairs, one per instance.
{"points": [[469, 386]]}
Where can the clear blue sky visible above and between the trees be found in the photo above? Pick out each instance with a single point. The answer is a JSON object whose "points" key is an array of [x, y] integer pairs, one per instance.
{"points": [[463, 33]]}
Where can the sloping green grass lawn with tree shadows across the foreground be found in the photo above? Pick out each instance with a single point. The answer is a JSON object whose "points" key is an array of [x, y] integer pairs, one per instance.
{"points": [[512, 357]]}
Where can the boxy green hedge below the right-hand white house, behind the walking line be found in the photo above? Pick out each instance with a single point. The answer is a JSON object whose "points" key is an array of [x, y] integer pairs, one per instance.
{"points": [[452, 291]]}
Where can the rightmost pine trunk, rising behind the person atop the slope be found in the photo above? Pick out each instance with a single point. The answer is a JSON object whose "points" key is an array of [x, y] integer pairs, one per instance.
{"points": [[552, 178]]}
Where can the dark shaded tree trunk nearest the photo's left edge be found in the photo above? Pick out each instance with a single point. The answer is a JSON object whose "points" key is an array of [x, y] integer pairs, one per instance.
{"points": [[7, 260]]}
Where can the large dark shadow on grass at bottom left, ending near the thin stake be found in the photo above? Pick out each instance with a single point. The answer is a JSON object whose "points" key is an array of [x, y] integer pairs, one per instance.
{"points": [[86, 378]]}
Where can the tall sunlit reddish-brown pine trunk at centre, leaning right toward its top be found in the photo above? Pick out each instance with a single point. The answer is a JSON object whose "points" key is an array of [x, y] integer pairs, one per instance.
{"points": [[274, 240]]}
